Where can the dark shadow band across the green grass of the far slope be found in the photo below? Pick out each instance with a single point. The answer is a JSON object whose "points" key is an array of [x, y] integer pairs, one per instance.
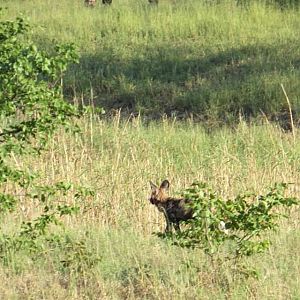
{"points": [[177, 80]]}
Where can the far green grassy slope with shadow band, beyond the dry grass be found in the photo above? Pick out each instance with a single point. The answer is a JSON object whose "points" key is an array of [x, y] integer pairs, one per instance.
{"points": [[182, 55]]}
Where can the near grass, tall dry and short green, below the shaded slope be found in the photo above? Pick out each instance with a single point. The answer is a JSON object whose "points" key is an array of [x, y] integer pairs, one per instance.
{"points": [[118, 159]]}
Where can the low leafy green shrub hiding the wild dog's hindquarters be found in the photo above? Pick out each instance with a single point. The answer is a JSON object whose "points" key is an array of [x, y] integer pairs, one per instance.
{"points": [[237, 224]]}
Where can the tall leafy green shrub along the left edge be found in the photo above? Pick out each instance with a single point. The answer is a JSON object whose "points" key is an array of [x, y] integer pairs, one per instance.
{"points": [[31, 110]]}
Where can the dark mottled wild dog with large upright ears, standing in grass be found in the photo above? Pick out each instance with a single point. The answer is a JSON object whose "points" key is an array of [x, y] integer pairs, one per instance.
{"points": [[175, 210]]}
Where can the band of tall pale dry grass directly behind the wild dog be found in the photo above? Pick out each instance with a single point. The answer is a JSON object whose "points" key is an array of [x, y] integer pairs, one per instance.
{"points": [[118, 158]]}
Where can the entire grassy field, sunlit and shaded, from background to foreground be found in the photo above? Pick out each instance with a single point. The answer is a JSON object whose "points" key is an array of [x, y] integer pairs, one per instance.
{"points": [[216, 61]]}
